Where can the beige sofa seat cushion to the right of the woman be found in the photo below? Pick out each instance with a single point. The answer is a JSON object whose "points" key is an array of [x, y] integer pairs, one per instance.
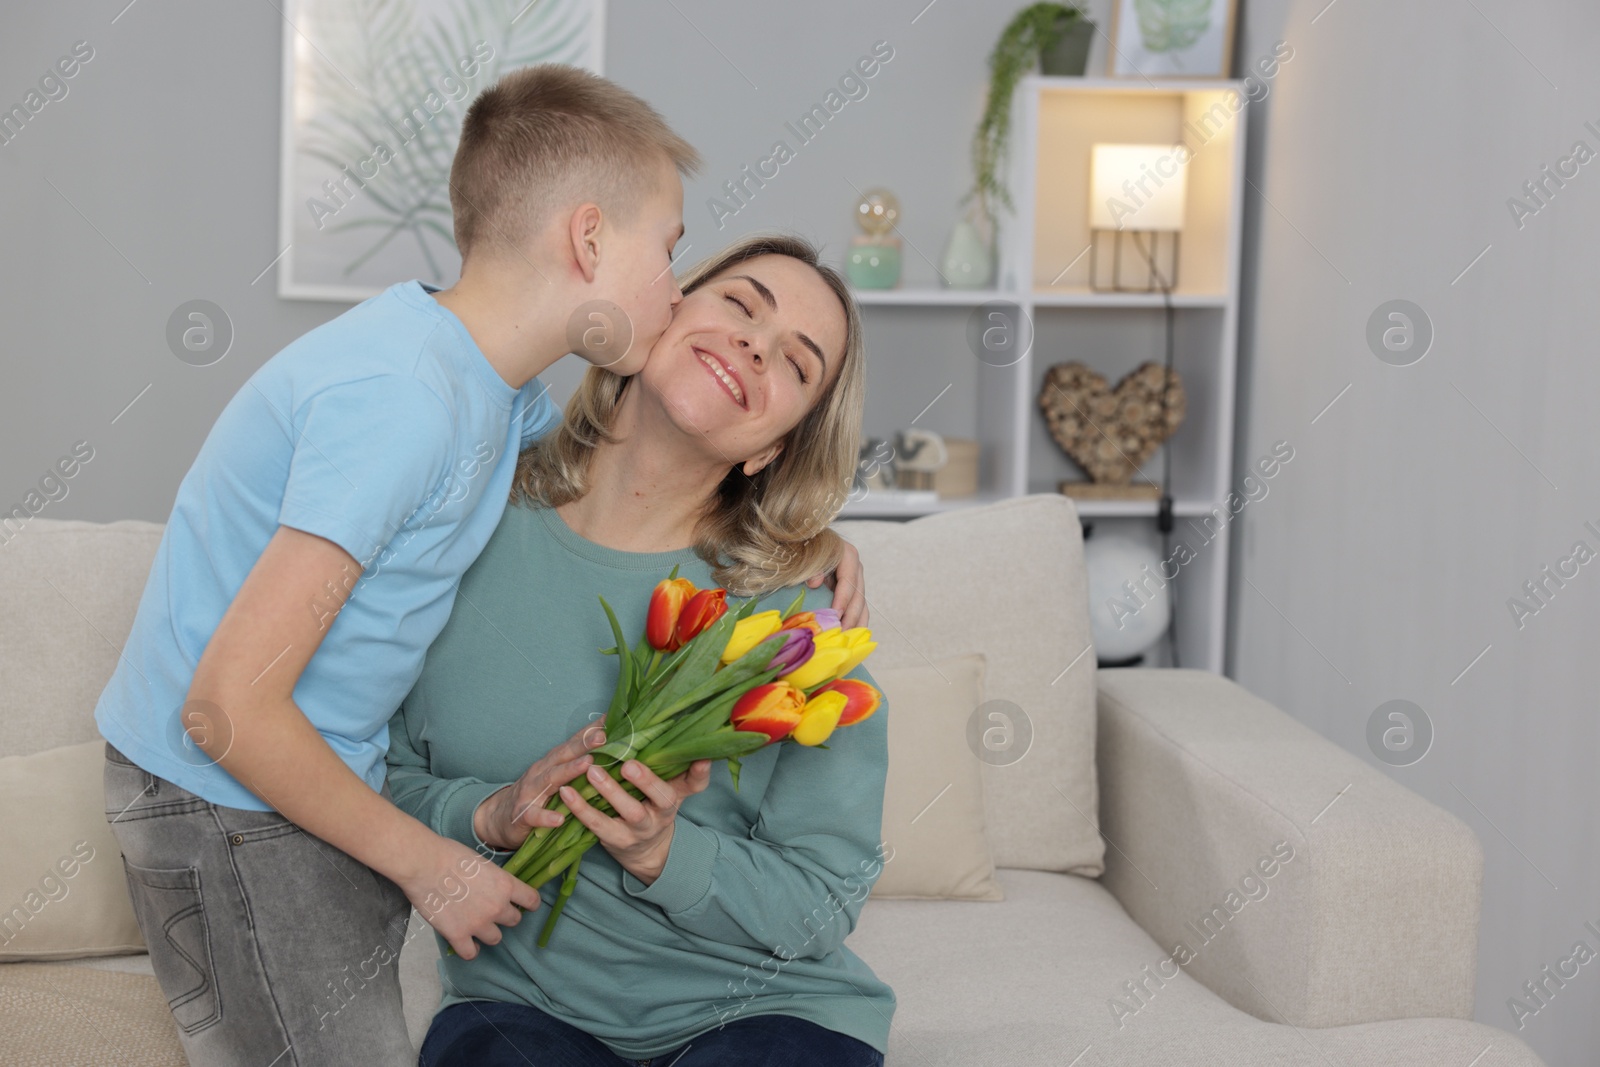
{"points": [[1033, 981]]}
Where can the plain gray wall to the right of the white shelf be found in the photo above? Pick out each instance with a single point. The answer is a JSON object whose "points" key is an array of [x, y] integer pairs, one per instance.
{"points": [[1426, 497]]}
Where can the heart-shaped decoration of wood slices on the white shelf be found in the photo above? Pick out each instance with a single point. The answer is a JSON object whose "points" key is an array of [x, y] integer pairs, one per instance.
{"points": [[1111, 433]]}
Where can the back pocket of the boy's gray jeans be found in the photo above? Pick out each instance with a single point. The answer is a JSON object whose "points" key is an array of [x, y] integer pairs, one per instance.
{"points": [[172, 913]]}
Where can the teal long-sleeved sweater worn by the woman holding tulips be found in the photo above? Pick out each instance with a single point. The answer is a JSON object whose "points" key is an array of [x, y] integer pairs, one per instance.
{"points": [[761, 887]]}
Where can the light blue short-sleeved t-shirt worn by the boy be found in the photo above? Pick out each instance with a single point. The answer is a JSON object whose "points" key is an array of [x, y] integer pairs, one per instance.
{"points": [[385, 431]]}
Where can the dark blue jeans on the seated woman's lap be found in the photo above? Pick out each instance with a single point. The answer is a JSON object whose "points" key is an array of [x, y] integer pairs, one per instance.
{"points": [[492, 1034]]}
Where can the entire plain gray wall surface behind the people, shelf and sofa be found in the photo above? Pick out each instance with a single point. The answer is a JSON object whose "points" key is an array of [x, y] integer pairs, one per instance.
{"points": [[1388, 150]]}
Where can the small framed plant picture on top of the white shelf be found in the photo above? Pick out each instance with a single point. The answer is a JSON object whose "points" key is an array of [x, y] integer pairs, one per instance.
{"points": [[1172, 39]]}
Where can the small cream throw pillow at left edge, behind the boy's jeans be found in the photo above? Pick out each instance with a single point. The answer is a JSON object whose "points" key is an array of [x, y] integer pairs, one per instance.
{"points": [[63, 892]]}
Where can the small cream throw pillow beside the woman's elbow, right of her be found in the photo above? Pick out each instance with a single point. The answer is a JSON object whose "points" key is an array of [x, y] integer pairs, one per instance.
{"points": [[934, 802]]}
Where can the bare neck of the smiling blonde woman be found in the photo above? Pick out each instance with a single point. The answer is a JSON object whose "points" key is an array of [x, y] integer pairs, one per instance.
{"points": [[642, 497]]}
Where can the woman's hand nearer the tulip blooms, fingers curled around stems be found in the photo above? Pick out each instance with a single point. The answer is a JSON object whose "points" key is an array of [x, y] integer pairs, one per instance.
{"points": [[641, 836]]}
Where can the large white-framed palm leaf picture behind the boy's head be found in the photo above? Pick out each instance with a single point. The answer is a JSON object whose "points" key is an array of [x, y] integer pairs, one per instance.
{"points": [[374, 100]]}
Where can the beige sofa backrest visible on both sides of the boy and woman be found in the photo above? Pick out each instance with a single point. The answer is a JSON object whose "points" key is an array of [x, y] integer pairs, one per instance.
{"points": [[1004, 580]]}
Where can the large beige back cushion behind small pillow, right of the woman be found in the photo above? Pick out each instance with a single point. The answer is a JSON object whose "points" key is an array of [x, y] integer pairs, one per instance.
{"points": [[1006, 580]]}
